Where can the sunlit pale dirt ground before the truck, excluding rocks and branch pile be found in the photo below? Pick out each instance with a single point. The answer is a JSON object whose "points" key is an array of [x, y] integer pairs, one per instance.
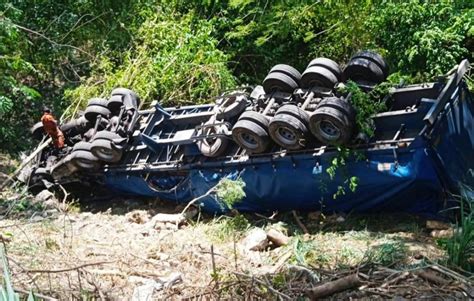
{"points": [[110, 250]]}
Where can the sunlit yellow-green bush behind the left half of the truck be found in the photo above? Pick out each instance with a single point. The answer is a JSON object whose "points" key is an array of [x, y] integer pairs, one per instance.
{"points": [[174, 58]]}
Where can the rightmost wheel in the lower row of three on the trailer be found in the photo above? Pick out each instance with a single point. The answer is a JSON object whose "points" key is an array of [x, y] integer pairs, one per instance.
{"points": [[331, 126]]}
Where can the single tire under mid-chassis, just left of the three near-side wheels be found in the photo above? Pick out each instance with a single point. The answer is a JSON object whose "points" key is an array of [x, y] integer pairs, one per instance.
{"points": [[212, 147]]}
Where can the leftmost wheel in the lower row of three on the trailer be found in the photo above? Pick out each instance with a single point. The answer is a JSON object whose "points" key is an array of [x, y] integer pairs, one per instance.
{"points": [[251, 136]]}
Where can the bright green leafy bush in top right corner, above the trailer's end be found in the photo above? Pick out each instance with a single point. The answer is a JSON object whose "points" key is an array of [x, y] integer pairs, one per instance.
{"points": [[423, 39]]}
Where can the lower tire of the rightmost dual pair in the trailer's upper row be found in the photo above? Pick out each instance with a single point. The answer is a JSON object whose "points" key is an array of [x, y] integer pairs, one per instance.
{"points": [[363, 70]]}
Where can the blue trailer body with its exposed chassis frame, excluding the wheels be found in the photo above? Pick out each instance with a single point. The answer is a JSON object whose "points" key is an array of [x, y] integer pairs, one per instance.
{"points": [[422, 151]]}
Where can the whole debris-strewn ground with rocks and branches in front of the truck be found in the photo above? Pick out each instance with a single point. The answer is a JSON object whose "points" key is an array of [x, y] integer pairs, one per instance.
{"points": [[136, 250]]}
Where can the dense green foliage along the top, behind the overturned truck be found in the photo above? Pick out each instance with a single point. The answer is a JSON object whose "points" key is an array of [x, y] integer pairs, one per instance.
{"points": [[60, 52]]}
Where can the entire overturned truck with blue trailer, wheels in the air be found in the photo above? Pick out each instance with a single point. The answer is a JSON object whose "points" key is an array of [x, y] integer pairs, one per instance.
{"points": [[279, 138]]}
